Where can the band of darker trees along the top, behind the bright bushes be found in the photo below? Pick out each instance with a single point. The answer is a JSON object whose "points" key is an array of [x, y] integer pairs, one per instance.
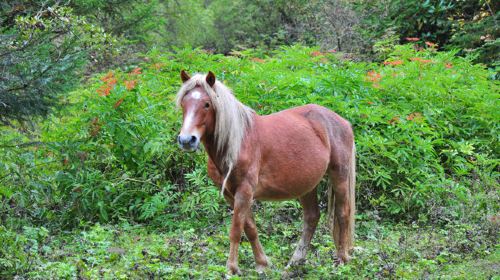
{"points": [[47, 46]]}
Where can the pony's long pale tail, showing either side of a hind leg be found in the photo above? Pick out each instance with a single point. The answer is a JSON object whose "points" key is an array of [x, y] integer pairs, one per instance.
{"points": [[332, 219]]}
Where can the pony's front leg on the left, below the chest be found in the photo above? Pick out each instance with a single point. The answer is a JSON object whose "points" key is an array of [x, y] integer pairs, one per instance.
{"points": [[242, 207]]}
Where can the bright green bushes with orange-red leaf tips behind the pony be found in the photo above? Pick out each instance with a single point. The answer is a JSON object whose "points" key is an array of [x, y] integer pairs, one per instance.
{"points": [[425, 123]]}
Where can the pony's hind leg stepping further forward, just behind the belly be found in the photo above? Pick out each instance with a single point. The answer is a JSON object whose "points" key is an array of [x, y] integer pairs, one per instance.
{"points": [[311, 215]]}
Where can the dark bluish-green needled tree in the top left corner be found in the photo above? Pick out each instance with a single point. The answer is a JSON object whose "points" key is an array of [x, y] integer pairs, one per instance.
{"points": [[42, 53]]}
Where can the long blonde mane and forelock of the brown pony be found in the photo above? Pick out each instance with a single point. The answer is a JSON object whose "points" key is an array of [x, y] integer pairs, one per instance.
{"points": [[232, 118]]}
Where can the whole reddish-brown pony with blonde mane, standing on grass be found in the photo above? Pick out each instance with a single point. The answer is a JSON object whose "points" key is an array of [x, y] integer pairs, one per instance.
{"points": [[275, 157]]}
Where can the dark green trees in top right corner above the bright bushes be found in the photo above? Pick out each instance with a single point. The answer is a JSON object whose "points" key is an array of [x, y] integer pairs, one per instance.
{"points": [[471, 26]]}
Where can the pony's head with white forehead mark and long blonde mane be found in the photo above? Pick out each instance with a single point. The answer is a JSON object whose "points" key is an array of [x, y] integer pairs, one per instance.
{"points": [[210, 109]]}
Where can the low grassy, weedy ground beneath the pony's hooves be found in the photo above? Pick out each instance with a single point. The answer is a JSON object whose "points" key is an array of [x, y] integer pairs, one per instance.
{"points": [[453, 251]]}
